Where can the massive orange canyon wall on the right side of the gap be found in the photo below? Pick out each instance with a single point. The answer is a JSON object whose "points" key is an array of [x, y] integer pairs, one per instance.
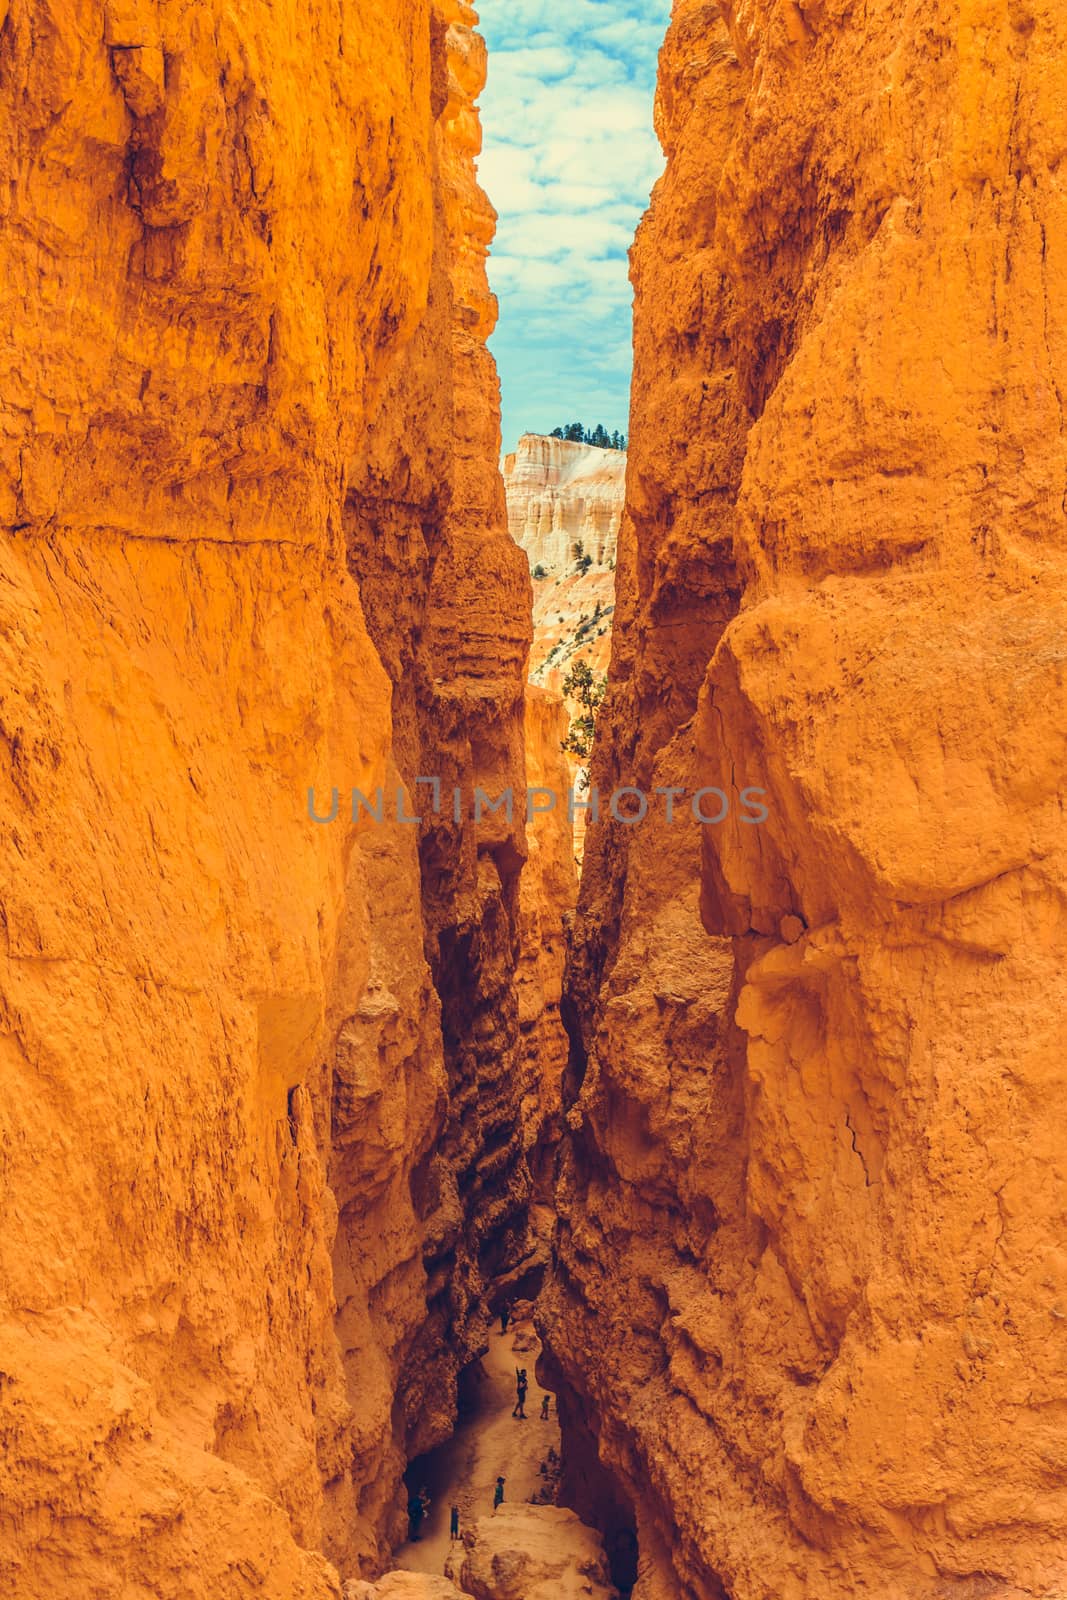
{"points": [[810, 1289]]}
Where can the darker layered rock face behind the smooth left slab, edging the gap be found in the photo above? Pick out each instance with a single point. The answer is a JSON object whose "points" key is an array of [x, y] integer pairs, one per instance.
{"points": [[447, 599]]}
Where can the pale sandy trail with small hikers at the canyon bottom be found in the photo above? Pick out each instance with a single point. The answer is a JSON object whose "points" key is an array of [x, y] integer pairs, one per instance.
{"points": [[487, 1442]]}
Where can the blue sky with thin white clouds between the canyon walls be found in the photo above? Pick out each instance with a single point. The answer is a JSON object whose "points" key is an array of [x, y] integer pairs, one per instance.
{"points": [[569, 162]]}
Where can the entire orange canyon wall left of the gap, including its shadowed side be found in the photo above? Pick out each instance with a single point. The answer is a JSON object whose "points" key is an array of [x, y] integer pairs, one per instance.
{"points": [[262, 1129]]}
